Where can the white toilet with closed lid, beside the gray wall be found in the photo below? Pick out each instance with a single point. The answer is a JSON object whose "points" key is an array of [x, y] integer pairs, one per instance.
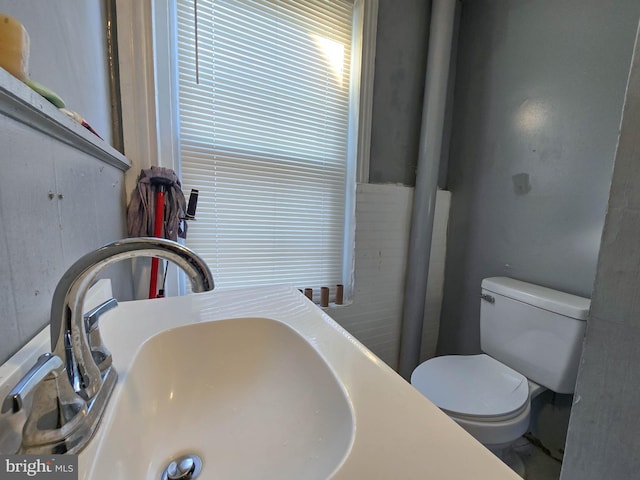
{"points": [[531, 337]]}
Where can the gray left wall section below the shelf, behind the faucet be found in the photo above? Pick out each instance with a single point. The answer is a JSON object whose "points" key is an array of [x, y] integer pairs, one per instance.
{"points": [[42, 236]]}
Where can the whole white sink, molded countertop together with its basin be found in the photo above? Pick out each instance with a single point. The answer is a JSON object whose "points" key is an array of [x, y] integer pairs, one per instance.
{"points": [[292, 398]]}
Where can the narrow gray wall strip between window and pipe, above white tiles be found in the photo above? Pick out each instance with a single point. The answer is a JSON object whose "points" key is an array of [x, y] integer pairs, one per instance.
{"points": [[398, 90]]}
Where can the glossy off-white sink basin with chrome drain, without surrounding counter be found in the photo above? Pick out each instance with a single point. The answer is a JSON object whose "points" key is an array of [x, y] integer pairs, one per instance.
{"points": [[250, 396]]}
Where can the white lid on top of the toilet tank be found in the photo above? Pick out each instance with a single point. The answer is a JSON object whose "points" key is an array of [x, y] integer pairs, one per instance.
{"points": [[542, 297]]}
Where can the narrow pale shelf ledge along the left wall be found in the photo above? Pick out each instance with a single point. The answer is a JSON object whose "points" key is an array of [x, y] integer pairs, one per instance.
{"points": [[21, 103]]}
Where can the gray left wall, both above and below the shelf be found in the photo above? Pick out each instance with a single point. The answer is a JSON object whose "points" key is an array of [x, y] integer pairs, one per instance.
{"points": [[42, 237]]}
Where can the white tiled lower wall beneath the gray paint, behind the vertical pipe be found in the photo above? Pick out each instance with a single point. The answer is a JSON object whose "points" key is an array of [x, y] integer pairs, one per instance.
{"points": [[383, 217]]}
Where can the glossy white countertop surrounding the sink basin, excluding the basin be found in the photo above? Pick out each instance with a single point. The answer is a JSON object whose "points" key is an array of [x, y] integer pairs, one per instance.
{"points": [[399, 434]]}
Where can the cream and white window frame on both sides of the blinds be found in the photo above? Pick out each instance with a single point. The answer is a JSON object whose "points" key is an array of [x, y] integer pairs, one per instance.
{"points": [[150, 118]]}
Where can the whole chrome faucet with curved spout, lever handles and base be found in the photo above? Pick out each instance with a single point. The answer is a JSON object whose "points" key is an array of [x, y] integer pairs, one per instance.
{"points": [[74, 383]]}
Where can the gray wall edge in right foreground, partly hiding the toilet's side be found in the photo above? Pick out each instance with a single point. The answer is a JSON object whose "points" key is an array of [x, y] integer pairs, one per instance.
{"points": [[603, 437]]}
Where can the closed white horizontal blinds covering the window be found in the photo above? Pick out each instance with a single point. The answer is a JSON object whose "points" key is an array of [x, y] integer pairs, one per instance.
{"points": [[264, 93]]}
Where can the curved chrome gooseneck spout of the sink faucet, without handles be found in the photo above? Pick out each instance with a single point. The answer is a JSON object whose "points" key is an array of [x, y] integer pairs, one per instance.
{"points": [[68, 336]]}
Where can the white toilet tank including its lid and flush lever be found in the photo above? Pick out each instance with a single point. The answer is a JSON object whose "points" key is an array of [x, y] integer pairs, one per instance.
{"points": [[535, 330]]}
